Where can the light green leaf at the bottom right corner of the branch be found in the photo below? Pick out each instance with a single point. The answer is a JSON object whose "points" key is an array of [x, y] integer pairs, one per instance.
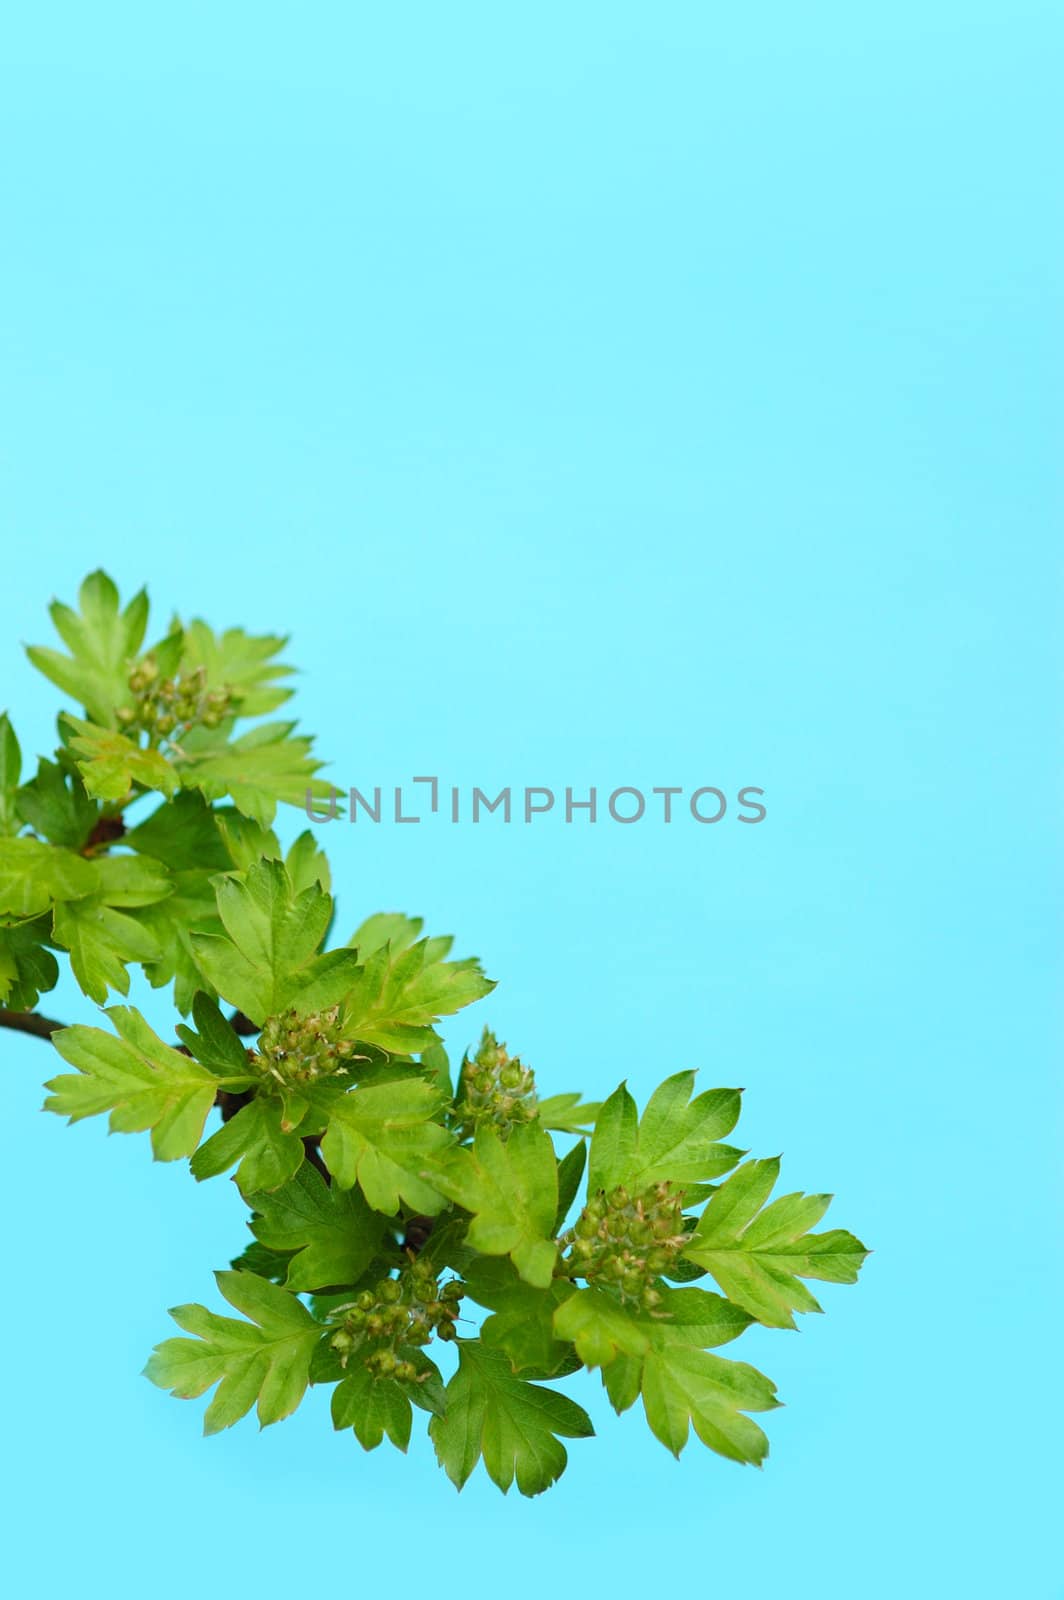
{"points": [[684, 1386]]}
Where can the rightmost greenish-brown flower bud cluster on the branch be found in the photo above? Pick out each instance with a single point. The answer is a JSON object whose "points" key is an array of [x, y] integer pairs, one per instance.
{"points": [[628, 1241]]}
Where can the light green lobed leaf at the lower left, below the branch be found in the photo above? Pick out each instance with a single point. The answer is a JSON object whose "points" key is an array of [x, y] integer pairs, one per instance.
{"points": [[265, 1361]]}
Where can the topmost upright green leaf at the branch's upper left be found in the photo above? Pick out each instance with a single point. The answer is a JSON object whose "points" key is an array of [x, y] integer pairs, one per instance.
{"points": [[103, 641]]}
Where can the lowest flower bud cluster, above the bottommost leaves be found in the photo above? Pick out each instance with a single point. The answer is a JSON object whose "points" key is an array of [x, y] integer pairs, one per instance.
{"points": [[398, 1313]]}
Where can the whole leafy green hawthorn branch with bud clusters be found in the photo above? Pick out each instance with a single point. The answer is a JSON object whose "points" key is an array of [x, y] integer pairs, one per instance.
{"points": [[404, 1220]]}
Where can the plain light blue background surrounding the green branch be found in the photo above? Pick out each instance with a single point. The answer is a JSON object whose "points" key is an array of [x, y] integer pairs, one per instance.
{"points": [[599, 394]]}
